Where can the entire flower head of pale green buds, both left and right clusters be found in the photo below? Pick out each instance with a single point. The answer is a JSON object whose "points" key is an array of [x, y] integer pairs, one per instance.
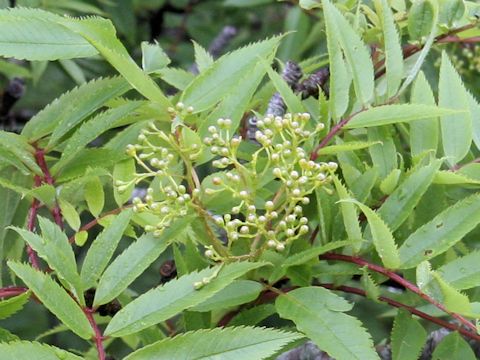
{"points": [[281, 159]]}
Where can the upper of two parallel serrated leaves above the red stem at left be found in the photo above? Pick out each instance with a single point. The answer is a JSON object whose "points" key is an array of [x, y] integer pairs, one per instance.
{"points": [[64, 113]]}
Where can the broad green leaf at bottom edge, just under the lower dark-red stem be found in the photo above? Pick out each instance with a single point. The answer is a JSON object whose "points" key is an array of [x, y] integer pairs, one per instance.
{"points": [[318, 313]]}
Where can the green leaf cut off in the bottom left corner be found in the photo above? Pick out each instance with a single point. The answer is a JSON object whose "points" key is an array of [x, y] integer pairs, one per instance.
{"points": [[24, 350]]}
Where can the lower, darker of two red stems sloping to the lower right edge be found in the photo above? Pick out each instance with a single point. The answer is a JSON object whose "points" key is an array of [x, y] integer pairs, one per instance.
{"points": [[410, 309]]}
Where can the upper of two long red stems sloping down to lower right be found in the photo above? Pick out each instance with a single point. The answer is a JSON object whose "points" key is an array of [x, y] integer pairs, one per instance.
{"points": [[399, 280]]}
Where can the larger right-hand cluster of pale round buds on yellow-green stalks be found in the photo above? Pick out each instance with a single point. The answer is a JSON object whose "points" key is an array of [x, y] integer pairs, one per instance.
{"points": [[278, 221]]}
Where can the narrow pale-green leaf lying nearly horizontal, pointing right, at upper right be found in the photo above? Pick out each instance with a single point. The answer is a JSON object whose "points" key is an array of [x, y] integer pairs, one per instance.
{"points": [[392, 114]]}
